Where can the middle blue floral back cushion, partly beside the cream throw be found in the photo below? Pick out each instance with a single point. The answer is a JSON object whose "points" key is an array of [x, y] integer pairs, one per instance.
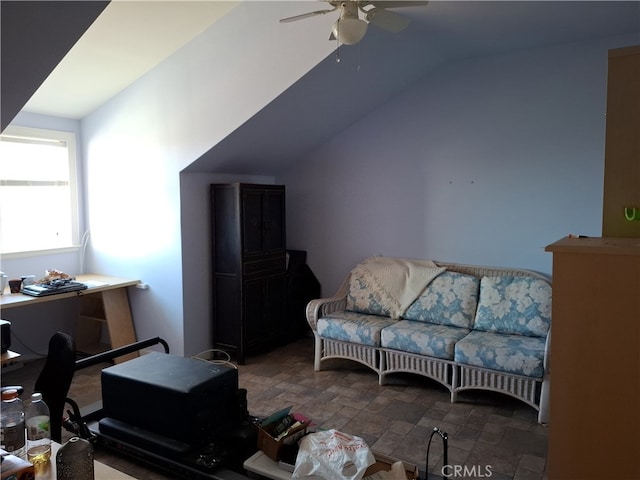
{"points": [[450, 299]]}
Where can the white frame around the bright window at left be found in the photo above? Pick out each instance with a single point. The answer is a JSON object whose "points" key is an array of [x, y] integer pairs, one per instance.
{"points": [[41, 134]]}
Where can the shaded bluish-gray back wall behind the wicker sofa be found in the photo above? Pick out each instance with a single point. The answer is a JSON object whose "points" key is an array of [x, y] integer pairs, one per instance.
{"points": [[485, 161]]}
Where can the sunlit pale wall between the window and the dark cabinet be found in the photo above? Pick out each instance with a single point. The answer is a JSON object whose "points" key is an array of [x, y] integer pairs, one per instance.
{"points": [[137, 144]]}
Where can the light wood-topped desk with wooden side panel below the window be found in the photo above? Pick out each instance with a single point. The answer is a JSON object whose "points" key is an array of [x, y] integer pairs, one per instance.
{"points": [[106, 300]]}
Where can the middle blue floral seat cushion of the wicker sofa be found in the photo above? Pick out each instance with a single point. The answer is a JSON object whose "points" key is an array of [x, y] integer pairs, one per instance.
{"points": [[422, 338]]}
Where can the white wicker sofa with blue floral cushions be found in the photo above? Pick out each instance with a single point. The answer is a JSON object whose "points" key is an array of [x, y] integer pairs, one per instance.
{"points": [[471, 327]]}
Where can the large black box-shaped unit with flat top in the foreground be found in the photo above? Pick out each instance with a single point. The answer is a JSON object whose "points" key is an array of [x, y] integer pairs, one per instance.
{"points": [[183, 414]]}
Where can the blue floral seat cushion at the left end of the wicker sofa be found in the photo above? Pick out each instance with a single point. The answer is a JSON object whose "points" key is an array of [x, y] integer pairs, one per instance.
{"points": [[353, 327]]}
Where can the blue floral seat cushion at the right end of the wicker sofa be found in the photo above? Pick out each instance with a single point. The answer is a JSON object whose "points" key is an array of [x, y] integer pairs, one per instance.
{"points": [[517, 354]]}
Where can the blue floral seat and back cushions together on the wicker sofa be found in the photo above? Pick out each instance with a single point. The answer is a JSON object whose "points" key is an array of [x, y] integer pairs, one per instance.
{"points": [[498, 323]]}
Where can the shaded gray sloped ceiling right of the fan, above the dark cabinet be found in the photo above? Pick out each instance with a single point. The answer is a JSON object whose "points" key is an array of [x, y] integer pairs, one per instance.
{"points": [[334, 95]]}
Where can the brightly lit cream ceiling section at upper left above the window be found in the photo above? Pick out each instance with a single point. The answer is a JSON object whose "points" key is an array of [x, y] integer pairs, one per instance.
{"points": [[127, 40]]}
